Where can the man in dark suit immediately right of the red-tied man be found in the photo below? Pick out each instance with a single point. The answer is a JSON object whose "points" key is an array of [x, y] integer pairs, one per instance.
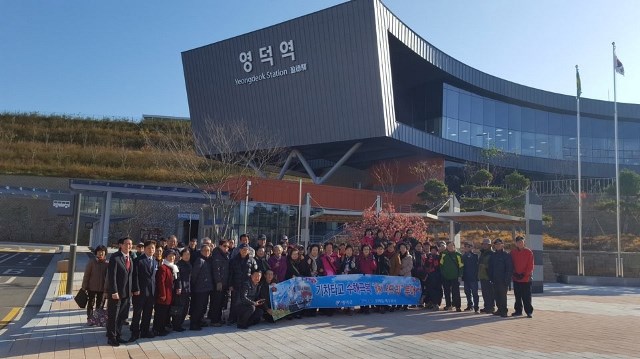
{"points": [[144, 290]]}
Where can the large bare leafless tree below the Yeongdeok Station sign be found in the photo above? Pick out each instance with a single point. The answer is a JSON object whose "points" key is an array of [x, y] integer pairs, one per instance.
{"points": [[215, 159]]}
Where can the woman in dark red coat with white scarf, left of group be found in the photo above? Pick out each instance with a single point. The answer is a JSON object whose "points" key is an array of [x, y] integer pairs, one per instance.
{"points": [[165, 275]]}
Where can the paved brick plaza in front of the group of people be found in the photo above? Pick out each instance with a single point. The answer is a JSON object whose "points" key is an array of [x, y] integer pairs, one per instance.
{"points": [[569, 322]]}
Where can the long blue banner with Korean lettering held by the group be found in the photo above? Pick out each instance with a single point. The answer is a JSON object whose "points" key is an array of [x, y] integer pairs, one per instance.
{"points": [[338, 291]]}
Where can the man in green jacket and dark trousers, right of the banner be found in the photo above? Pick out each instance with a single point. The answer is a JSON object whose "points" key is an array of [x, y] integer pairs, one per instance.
{"points": [[451, 268]]}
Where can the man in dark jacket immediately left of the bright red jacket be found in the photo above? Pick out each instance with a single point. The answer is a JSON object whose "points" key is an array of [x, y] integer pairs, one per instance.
{"points": [[500, 270]]}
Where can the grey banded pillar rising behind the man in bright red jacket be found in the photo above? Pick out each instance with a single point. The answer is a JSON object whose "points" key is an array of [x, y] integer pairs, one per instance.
{"points": [[533, 217]]}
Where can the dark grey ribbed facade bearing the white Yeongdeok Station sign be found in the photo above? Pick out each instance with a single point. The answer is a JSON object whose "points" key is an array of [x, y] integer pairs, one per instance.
{"points": [[337, 98]]}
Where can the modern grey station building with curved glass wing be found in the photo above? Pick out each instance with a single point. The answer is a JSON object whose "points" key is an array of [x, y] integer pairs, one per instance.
{"points": [[351, 88]]}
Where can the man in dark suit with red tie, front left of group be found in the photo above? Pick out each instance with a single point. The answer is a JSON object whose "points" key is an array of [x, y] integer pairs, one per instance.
{"points": [[119, 290]]}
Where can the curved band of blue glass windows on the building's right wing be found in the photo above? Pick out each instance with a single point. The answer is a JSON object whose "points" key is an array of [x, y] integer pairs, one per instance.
{"points": [[472, 119]]}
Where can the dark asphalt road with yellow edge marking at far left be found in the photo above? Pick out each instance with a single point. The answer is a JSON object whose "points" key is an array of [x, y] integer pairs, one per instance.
{"points": [[20, 274]]}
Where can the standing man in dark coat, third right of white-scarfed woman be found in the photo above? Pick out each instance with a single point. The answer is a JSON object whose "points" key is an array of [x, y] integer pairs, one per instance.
{"points": [[220, 264]]}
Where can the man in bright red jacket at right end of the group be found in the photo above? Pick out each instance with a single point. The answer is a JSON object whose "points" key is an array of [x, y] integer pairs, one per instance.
{"points": [[522, 258]]}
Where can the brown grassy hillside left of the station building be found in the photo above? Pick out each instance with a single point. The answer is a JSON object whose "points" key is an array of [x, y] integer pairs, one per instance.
{"points": [[68, 146]]}
